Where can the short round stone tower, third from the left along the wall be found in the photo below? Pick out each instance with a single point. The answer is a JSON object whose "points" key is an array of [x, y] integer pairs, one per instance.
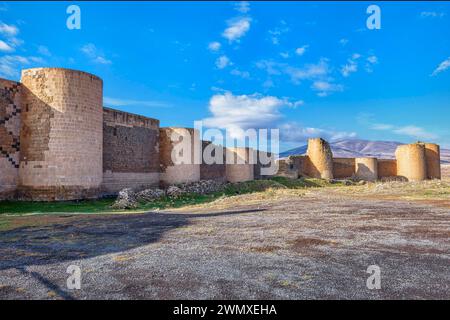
{"points": [[239, 164]]}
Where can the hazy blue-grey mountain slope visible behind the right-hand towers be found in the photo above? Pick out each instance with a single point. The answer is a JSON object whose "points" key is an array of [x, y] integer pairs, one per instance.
{"points": [[362, 148]]}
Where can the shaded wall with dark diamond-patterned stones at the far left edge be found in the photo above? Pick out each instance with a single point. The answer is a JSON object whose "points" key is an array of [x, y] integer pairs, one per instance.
{"points": [[10, 109]]}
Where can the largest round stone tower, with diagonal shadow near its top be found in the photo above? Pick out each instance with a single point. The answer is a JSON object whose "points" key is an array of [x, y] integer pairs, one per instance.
{"points": [[61, 135]]}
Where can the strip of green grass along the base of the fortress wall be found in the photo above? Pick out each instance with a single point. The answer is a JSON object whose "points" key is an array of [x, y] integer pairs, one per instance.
{"points": [[104, 205]]}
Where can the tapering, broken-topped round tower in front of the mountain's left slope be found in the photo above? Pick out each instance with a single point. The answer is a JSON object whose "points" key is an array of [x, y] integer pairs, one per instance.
{"points": [[320, 159]]}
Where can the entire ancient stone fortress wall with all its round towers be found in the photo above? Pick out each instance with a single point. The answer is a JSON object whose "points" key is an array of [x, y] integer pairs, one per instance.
{"points": [[57, 142]]}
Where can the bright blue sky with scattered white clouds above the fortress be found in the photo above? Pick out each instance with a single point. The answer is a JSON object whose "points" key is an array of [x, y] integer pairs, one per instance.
{"points": [[308, 68]]}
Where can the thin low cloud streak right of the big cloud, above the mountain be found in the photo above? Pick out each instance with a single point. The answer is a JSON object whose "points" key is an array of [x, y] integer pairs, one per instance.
{"points": [[292, 132]]}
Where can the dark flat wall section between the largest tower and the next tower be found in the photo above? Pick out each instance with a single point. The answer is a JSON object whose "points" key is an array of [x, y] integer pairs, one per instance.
{"points": [[130, 151]]}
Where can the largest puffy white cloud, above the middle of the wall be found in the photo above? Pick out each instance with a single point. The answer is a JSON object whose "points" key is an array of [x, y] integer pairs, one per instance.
{"points": [[241, 112]]}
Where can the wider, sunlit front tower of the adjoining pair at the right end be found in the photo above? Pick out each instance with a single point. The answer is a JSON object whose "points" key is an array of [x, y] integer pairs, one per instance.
{"points": [[411, 161]]}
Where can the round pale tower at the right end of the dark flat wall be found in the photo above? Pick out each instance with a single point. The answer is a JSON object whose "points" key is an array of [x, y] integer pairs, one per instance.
{"points": [[179, 171]]}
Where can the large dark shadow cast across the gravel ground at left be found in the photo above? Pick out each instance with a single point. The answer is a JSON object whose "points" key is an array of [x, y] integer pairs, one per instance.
{"points": [[89, 237]]}
